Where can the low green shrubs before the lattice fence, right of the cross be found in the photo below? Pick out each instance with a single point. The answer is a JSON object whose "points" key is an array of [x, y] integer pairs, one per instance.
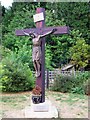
{"points": [[73, 84]]}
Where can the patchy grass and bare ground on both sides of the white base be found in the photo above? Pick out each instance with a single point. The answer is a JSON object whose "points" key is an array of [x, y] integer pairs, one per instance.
{"points": [[12, 105]]}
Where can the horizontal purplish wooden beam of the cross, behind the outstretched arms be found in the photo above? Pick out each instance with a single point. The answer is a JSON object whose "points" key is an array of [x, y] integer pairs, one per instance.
{"points": [[60, 30]]}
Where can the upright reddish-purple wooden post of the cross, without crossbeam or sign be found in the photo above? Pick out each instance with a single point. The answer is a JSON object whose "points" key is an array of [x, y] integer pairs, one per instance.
{"points": [[40, 81]]}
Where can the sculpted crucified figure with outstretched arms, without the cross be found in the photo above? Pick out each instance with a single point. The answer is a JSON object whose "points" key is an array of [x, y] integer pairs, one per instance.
{"points": [[36, 53]]}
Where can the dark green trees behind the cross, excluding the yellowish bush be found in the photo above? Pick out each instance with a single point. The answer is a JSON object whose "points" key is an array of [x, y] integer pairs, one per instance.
{"points": [[71, 14]]}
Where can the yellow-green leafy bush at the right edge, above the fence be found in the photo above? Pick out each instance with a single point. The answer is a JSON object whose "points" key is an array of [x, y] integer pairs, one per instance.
{"points": [[80, 53]]}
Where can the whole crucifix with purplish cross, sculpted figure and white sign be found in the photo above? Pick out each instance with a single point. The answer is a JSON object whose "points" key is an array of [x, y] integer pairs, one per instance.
{"points": [[38, 38]]}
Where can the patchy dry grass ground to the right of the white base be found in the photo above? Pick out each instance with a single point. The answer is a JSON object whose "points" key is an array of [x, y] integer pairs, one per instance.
{"points": [[70, 105]]}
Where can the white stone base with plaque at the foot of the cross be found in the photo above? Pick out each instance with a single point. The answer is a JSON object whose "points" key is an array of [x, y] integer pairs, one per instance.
{"points": [[42, 110]]}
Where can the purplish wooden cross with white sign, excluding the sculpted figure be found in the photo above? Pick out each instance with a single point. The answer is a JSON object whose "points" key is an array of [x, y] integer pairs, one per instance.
{"points": [[41, 29]]}
